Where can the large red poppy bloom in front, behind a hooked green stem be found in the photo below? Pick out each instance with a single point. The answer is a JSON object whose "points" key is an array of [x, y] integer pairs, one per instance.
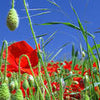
{"points": [[15, 51]]}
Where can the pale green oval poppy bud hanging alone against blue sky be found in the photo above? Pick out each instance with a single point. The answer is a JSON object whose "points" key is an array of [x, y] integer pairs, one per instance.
{"points": [[12, 19]]}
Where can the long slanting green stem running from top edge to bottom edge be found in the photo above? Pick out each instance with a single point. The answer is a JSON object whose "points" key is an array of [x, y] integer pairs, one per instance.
{"points": [[34, 36]]}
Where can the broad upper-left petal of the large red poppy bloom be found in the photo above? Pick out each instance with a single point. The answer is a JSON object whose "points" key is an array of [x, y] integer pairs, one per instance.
{"points": [[15, 50]]}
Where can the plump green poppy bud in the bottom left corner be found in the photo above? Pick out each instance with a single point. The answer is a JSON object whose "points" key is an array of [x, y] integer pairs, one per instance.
{"points": [[4, 92]]}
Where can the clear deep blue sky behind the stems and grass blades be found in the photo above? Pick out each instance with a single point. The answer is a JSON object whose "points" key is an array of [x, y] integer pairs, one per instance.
{"points": [[88, 11]]}
